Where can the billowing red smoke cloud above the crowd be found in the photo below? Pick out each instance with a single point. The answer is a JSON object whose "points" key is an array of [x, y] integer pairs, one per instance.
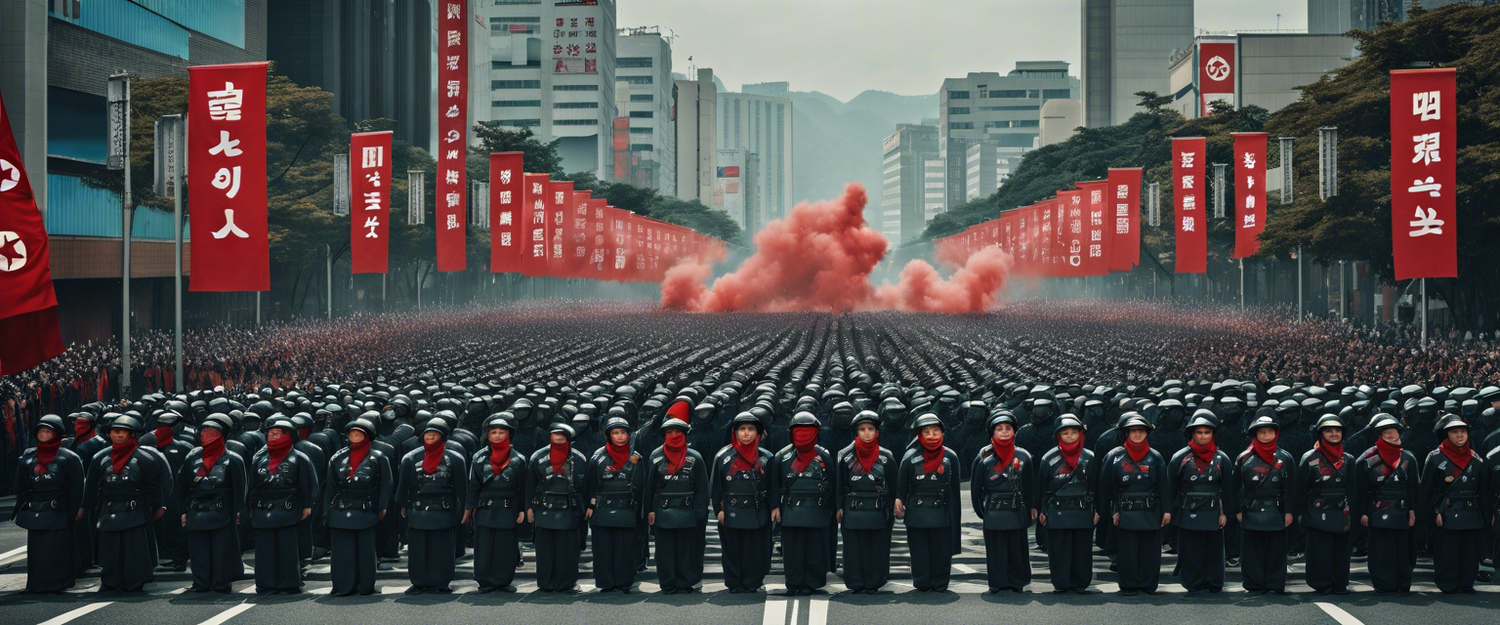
{"points": [[820, 259]]}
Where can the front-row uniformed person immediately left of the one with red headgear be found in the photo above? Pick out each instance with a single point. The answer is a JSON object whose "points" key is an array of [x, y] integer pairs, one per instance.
{"points": [[617, 489]]}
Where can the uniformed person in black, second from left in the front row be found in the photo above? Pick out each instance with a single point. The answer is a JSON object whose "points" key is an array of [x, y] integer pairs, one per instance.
{"points": [[125, 489]]}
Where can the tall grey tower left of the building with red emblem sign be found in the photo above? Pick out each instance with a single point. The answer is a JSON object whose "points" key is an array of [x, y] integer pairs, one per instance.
{"points": [[1127, 46]]}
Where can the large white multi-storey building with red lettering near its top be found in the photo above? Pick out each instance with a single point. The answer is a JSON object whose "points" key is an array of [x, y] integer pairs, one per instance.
{"points": [[553, 70]]}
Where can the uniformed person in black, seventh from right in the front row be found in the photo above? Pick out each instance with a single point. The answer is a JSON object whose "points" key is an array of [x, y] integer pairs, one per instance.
{"points": [[1066, 506]]}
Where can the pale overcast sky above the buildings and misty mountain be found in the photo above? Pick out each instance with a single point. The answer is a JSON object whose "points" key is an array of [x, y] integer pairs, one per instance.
{"points": [[845, 47]]}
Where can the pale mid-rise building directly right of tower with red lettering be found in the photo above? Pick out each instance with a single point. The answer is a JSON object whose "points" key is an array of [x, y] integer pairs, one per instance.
{"points": [[644, 100]]}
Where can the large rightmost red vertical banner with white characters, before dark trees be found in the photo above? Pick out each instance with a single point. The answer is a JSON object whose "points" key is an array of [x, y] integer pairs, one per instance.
{"points": [[1424, 148]]}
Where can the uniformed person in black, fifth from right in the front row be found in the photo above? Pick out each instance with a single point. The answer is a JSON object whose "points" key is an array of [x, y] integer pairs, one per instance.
{"points": [[1201, 477]]}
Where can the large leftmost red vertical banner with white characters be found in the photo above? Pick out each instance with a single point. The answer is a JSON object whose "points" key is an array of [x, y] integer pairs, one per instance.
{"points": [[227, 179]]}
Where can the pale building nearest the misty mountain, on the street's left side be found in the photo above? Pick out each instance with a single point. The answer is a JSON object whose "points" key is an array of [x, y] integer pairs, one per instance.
{"points": [[761, 125]]}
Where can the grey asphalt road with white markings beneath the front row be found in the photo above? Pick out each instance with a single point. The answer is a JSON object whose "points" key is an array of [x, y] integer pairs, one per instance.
{"points": [[164, 602]]}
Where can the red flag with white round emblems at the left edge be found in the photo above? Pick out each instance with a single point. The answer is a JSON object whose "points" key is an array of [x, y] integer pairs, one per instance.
{"points": [[29, 332]]}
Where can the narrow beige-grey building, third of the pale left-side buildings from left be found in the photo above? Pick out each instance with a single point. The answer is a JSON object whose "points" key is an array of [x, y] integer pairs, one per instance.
{"points": [[697, 137]]}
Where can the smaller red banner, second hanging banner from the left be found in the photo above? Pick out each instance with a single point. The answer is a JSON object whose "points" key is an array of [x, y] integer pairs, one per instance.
{"points": [[370, 212]]}
